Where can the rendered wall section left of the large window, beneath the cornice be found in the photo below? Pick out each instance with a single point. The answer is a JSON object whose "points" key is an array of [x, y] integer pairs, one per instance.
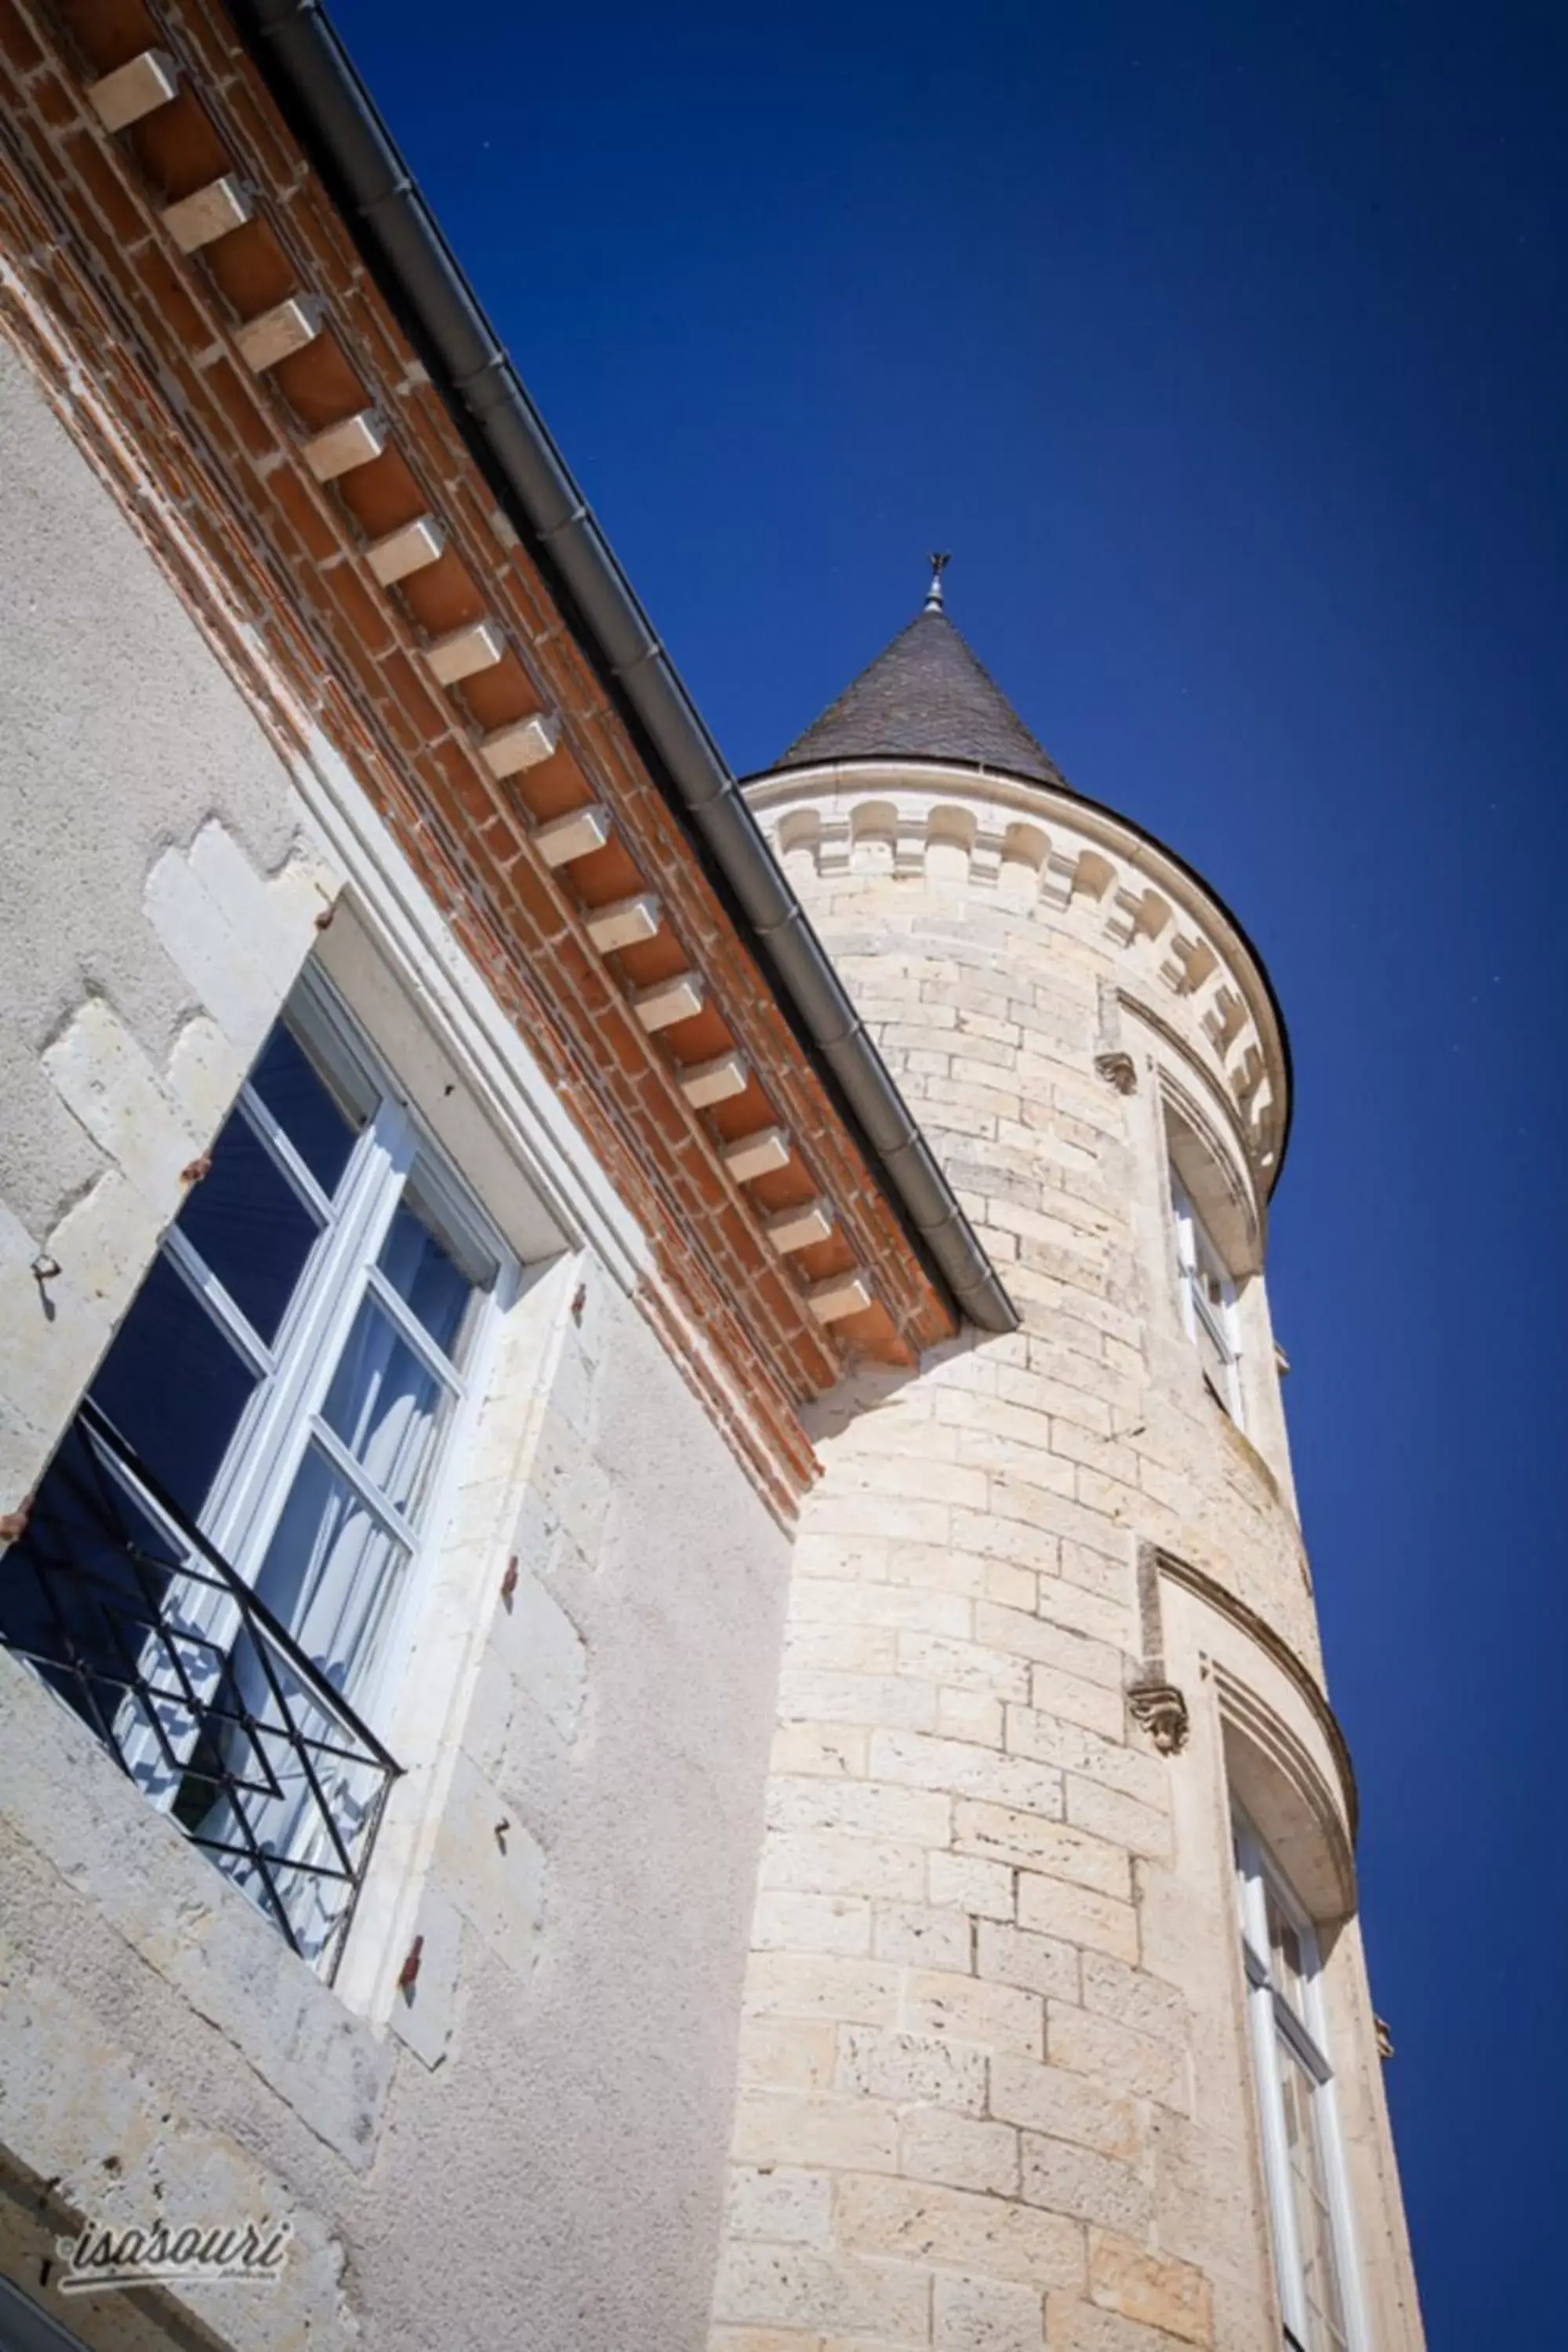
{"points": [[145, 820]]}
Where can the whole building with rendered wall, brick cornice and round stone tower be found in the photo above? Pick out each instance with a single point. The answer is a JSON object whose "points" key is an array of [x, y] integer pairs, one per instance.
{"points": [[657, 1678]]}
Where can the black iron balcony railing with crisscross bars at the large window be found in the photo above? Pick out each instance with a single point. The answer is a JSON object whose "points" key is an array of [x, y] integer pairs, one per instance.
{"points": [[123, 1608]]}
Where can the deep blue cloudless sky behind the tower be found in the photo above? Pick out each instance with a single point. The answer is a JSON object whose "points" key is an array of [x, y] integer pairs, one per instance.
{"points": [[1228, 352]]}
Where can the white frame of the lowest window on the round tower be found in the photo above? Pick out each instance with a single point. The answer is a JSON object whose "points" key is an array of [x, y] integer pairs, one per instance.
{"points": [[1273, 2022]]}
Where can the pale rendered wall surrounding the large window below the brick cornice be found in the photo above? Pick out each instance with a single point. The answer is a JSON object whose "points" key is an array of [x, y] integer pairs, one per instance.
{"points": [[530, 2151]]}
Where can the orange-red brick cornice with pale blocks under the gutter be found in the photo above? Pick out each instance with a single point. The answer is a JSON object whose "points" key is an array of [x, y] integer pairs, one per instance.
{"points": [[140, 352]]}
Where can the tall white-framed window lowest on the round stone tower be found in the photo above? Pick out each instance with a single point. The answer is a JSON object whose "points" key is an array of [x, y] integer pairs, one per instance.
{"points": [[1296, 2106]]}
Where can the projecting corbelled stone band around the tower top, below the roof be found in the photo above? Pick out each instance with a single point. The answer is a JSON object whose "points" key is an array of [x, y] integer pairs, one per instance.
{"points": [[1059, 860]]}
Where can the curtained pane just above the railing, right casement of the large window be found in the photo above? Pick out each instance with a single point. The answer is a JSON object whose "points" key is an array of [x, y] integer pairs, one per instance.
{"points": [[330, 1572]]}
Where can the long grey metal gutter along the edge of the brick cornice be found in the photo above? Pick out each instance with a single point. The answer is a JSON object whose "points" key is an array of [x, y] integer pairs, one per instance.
{"points": [[333, 114]]}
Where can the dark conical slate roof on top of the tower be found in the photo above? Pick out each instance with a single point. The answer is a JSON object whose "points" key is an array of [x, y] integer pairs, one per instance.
{"points": [[925, 700]]}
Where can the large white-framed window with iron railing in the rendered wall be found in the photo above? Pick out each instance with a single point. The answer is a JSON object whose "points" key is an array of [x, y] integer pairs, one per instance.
{"points": [[262, 1455]]}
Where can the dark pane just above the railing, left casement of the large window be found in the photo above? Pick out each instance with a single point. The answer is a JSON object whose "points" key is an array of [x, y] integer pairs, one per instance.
{"points": [[175, 1387]]}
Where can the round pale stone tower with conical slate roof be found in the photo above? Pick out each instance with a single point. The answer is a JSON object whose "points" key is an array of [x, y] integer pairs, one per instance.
{"points": [[1059, 2026]]}
